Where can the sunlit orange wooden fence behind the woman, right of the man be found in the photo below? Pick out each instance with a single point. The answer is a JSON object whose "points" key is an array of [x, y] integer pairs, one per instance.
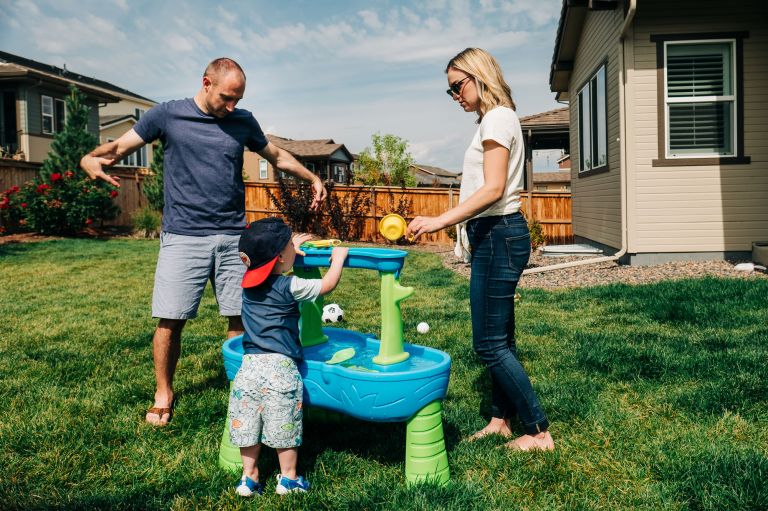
{"points": [[552, 210]]}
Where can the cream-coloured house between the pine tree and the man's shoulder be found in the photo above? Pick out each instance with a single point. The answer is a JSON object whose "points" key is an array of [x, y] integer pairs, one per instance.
{"points": [[117, 118]]}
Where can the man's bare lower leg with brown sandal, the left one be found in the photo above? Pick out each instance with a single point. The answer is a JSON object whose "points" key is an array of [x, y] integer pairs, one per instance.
{"points": [[166, 348]]}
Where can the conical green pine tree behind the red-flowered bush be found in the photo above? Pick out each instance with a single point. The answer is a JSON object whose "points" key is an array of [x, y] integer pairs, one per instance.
{"points": [[70, 144]]}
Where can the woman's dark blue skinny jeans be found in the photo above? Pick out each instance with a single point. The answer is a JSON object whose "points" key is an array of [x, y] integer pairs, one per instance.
{"points": [[501, 247]]}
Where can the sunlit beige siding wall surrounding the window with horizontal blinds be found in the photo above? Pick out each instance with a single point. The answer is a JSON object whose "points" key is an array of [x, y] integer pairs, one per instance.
{"points": [[712, 208]]}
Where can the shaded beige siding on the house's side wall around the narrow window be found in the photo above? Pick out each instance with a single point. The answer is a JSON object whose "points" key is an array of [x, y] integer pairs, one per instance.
{"points": [[596, 200]]}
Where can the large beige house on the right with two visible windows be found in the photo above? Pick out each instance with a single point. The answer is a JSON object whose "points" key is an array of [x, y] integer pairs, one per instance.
{"points": [[668, 123]]}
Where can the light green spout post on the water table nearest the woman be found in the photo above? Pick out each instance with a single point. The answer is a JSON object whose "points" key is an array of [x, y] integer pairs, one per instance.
{"points": [[392, 293]]}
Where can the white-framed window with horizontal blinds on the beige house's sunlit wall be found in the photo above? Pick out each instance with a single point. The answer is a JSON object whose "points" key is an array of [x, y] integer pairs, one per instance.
{"points": [[700, 99]]}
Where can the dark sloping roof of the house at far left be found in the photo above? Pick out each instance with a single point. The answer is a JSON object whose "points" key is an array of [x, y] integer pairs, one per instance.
{"points": [[16, 66]]}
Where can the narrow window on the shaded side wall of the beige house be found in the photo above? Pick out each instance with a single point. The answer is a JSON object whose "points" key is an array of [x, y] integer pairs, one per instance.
{"points": [[593, 133]]}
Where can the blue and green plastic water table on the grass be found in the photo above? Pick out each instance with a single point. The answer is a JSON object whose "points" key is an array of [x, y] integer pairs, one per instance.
{"points": [[383, 380]]}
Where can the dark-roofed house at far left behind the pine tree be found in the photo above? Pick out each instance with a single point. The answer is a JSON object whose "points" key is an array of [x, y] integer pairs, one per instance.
{"points": [[32, 108]]}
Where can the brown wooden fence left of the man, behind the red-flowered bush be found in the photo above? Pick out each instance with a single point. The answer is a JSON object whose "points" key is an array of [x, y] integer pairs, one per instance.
{"points": [[129, 199]]}
